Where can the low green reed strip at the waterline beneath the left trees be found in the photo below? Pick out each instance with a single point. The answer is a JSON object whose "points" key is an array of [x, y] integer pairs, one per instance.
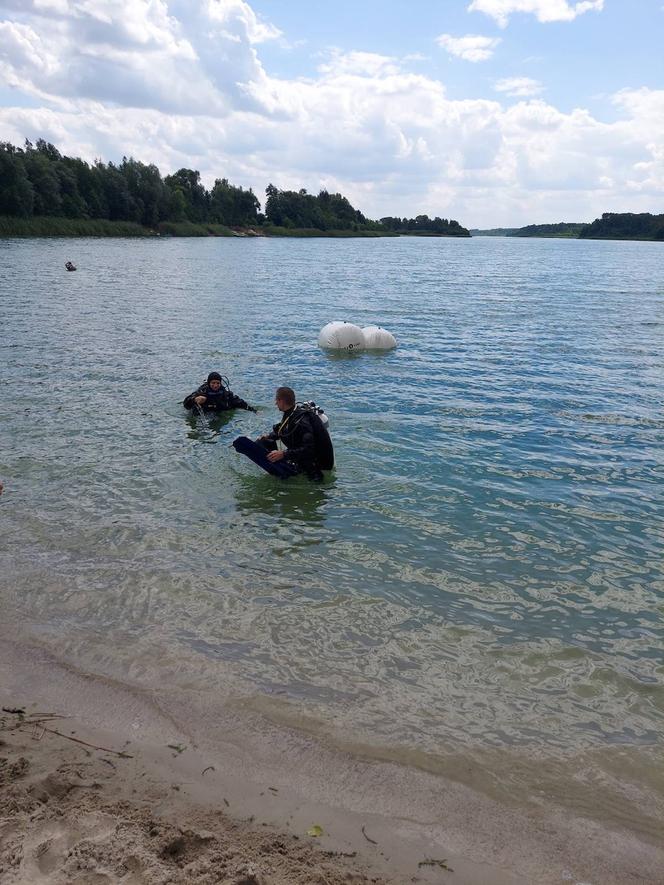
{"points": [[51, 227]]}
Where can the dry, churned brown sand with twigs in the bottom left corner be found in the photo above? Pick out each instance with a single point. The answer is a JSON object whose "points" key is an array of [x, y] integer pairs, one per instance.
{"points": [[73, 812]]}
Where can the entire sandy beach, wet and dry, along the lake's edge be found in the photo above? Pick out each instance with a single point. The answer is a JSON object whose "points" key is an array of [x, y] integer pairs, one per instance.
{"points": [[102, 783]]}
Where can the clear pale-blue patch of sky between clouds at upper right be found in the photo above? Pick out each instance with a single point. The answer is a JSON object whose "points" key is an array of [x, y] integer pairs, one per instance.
{"points": [[580, 63]]}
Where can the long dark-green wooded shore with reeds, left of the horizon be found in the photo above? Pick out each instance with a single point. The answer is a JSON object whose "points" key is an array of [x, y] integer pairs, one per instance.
{"points": [[43, 193]]}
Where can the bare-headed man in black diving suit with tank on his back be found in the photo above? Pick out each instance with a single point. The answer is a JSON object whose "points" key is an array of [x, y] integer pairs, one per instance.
{"points": [[299, 443]]}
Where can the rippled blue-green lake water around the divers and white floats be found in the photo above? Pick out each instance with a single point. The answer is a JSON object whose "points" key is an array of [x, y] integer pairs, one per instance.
{"points": [[481, 577]]}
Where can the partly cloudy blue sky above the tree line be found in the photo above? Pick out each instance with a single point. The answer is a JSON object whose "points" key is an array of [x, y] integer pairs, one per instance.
{"points": [[492, 112]]}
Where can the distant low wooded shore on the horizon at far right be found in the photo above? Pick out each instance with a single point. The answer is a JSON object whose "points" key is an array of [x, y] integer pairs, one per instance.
{"points": [[611, 226]]}
